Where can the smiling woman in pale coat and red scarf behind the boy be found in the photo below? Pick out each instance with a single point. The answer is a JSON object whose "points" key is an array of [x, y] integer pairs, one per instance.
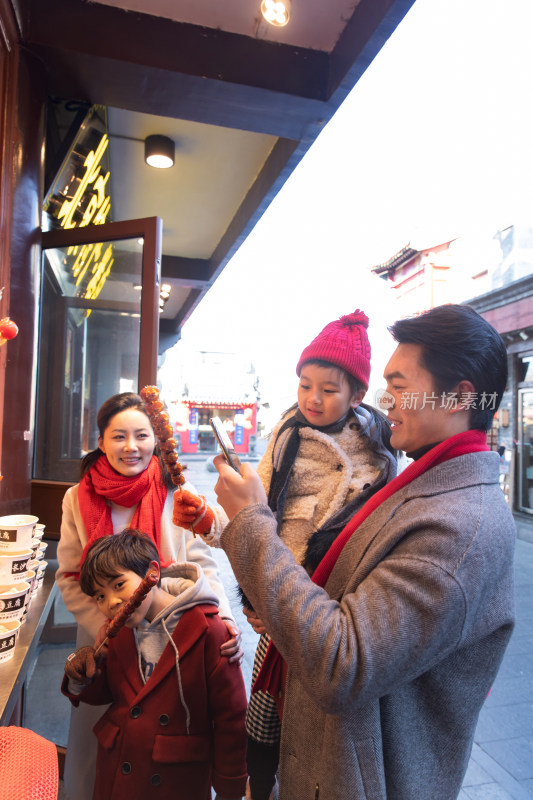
{"points": [[124, 483]]}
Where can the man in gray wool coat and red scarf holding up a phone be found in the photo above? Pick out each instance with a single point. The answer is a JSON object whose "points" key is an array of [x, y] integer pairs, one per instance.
{"points": [[389, 649]]}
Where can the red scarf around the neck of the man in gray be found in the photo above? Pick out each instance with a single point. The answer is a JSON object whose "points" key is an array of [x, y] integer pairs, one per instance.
{"points": [[270, 675]]}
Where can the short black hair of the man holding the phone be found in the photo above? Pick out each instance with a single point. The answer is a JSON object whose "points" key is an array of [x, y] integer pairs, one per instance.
{"points": [[458, 344]]}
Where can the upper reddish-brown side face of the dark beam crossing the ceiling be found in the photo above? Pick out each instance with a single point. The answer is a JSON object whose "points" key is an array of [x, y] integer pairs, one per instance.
{"points": [[109, 32]]}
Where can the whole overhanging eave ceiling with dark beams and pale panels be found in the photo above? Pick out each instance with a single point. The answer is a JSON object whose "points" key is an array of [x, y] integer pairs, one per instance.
{"points": [[242, 100]]}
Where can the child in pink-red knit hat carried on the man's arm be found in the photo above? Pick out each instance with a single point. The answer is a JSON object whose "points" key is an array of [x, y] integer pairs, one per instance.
{"points": [[328, 454]]}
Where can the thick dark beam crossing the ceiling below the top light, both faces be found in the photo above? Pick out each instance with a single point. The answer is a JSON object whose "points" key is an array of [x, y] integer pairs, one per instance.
{"points": [[108, 56]]}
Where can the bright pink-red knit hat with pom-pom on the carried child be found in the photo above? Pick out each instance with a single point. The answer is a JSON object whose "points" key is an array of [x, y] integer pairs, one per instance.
{"points": [[343, 343]]}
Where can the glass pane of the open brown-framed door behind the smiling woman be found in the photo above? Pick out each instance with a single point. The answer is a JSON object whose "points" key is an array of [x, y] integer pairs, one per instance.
{"points": [[89, 347]]}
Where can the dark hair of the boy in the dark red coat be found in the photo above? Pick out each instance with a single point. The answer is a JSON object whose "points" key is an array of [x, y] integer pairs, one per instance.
{"points": [[130, 550]]}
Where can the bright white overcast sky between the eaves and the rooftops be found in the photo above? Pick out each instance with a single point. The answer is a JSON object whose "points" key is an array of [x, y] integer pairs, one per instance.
{"points": [[435, 141]]}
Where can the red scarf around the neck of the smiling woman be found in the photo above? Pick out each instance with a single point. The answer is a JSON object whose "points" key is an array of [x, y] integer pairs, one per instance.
{"points": [[102, 485]]}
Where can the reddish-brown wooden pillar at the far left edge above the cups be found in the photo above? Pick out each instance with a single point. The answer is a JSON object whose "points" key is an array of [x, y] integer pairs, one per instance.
{"points": [[22, 107]]}
